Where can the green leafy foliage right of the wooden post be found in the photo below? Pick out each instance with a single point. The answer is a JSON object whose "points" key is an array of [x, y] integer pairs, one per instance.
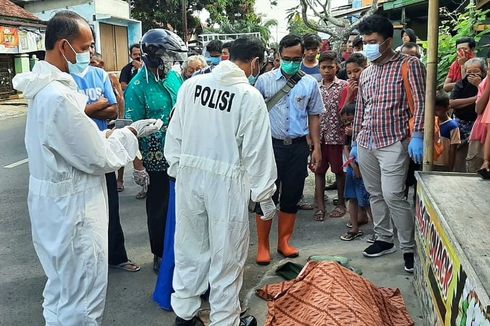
{"points": [[457, 25]]}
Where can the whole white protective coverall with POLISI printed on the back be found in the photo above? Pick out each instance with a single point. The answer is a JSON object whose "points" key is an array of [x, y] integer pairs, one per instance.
{"points": [[219, 148]]}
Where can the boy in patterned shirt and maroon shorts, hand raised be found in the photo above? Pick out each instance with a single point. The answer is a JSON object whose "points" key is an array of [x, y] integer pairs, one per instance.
{"points": [[332, 136]]}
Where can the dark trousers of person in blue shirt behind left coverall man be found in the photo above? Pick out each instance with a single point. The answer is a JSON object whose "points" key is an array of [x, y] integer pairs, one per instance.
{"points": [[117, 251]]}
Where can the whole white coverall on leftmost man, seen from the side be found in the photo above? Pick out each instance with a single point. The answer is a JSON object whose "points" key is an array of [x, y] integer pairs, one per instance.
{"points": [[68, 157]]}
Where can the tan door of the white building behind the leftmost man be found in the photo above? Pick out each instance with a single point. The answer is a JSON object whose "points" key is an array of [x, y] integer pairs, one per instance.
{"points": [[114, 46]]}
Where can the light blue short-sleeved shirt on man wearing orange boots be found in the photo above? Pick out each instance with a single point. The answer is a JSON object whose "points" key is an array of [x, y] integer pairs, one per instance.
{"points": [[289, 117]]}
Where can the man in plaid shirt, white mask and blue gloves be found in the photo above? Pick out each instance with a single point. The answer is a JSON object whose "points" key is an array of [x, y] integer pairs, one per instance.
{"points": [[381, 133]]}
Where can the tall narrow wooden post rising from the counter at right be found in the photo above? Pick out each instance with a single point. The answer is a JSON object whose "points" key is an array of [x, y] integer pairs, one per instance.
{"points": [[433, 39]]}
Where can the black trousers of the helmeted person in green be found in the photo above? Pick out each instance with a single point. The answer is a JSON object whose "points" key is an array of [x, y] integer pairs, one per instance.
{"points": [[156, 210]]}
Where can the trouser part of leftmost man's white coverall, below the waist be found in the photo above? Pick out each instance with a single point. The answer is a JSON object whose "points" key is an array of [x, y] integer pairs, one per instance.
{"points": [[70, 238]]}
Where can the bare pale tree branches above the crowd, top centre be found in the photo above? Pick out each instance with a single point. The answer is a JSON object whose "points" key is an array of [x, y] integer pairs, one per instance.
{"points": [[338, 28]]}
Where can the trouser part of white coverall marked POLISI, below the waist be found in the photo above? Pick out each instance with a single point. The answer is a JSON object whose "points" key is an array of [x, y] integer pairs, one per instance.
{"points": [[211, 244]]}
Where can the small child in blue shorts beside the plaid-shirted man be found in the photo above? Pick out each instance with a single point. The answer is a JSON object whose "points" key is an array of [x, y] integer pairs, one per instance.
{"points": [[355, 192]]}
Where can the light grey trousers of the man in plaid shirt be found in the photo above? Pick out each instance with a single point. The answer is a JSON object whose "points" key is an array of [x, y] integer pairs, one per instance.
{"points": [[384, 171]]}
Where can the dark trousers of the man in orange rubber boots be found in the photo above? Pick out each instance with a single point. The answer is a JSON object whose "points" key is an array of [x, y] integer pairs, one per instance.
{"points": [[291, 162]]}
